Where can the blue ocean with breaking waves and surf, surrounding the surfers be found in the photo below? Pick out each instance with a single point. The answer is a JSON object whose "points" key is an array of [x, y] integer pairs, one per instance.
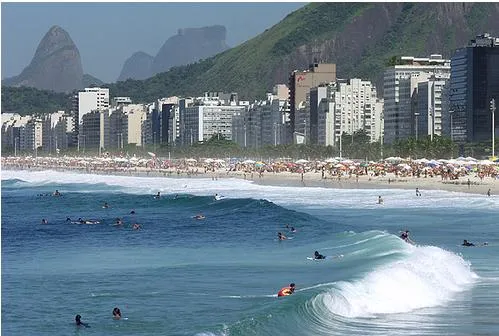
{"points": [[220, 275]]}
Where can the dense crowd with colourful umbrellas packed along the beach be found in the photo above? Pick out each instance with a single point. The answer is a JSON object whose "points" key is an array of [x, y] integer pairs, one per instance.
{"points": [[333, 168]]}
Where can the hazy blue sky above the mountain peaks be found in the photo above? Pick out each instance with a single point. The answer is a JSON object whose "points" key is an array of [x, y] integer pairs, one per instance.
{"points": [[106, 34]]}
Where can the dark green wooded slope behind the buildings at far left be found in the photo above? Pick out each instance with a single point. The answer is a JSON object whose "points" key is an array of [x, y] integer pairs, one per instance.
{"points": [[26, 100]]}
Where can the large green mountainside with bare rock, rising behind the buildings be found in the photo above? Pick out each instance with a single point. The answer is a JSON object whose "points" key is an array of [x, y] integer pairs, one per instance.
{"points": [[359, 37]]}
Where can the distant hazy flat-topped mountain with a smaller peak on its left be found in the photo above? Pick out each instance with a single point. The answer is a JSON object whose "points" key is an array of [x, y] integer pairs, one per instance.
{"points": [[188, 46]]}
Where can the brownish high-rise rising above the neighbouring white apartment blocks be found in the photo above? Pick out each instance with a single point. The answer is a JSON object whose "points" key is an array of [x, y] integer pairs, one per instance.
{"points": [[300, 83]]}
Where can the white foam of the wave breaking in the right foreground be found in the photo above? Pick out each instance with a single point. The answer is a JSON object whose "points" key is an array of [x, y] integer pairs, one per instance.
{"points": [[426, 277]]}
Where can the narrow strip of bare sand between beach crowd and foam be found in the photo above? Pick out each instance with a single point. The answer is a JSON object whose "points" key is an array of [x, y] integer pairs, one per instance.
{"points": [[310, 179]]}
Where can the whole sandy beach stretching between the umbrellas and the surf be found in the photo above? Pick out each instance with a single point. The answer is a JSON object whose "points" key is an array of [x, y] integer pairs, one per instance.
{"points": [[471, 182]]}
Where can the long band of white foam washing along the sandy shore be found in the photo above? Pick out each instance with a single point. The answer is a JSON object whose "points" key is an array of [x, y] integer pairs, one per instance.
{"points": [[238, 188]]}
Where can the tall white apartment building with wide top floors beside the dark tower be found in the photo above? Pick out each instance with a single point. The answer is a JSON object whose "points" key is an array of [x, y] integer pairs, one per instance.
{"points": [[400, 90]]}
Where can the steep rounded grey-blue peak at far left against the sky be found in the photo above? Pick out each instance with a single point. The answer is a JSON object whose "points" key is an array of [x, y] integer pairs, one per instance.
{"points": [[55, 66]]}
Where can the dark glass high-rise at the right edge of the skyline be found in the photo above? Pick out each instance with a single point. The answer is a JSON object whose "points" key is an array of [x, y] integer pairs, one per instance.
{"points": [[474, 81]]}
